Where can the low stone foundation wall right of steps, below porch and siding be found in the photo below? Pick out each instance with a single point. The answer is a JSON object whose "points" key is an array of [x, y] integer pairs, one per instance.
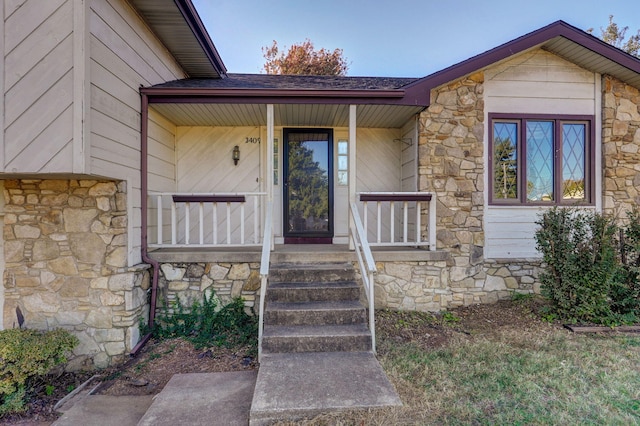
{"points": [[426, 286]]}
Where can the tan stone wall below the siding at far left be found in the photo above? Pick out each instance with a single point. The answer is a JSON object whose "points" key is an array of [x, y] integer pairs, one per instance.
{"points": [[65, 251]]}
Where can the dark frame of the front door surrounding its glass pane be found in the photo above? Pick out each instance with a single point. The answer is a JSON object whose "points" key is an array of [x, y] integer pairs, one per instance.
{"points": [[306, 237]]}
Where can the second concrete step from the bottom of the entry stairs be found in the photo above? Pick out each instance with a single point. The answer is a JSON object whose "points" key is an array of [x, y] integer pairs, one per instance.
{"points": [[314, 313]]}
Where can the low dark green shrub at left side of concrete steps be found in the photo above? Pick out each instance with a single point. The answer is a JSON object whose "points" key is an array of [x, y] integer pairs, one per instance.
{"points": [[205, 323]]}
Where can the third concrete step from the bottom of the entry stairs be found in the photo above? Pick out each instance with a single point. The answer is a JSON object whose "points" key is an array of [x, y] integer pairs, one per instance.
{"points": [[312, 292]]}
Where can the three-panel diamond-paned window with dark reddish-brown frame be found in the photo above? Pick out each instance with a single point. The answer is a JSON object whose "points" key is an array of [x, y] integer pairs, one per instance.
{"points": [[541, 159]]}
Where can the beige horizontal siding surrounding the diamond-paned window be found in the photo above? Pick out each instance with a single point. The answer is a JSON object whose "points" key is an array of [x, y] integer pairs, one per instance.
{"points": [[536, 82]]}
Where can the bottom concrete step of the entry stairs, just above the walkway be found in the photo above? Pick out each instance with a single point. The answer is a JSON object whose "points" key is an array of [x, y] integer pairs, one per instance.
{"points": [[326, 338]]}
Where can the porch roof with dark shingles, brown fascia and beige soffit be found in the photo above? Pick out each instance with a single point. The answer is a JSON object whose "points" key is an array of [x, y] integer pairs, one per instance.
{"points": [[241, 99]]}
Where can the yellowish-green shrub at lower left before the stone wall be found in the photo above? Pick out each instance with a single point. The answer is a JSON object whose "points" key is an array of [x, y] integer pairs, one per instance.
{"points": [[26, 354]]}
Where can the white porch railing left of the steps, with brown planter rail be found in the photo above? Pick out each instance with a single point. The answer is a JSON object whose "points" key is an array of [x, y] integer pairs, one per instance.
{"points": [[206, 219]]}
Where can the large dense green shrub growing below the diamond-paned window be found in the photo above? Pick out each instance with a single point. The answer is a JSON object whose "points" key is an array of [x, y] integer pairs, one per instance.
{"points": [[585, 277]]}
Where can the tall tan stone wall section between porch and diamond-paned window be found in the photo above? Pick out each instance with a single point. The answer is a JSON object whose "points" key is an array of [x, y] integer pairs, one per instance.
{"points": [[451, 165]]}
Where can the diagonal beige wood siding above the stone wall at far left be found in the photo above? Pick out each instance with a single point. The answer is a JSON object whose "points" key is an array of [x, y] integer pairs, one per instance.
{"points": [[38, 86]]}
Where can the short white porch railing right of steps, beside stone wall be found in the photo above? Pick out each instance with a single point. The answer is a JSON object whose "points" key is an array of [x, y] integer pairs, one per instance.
{"points": [[397, 217]]}
